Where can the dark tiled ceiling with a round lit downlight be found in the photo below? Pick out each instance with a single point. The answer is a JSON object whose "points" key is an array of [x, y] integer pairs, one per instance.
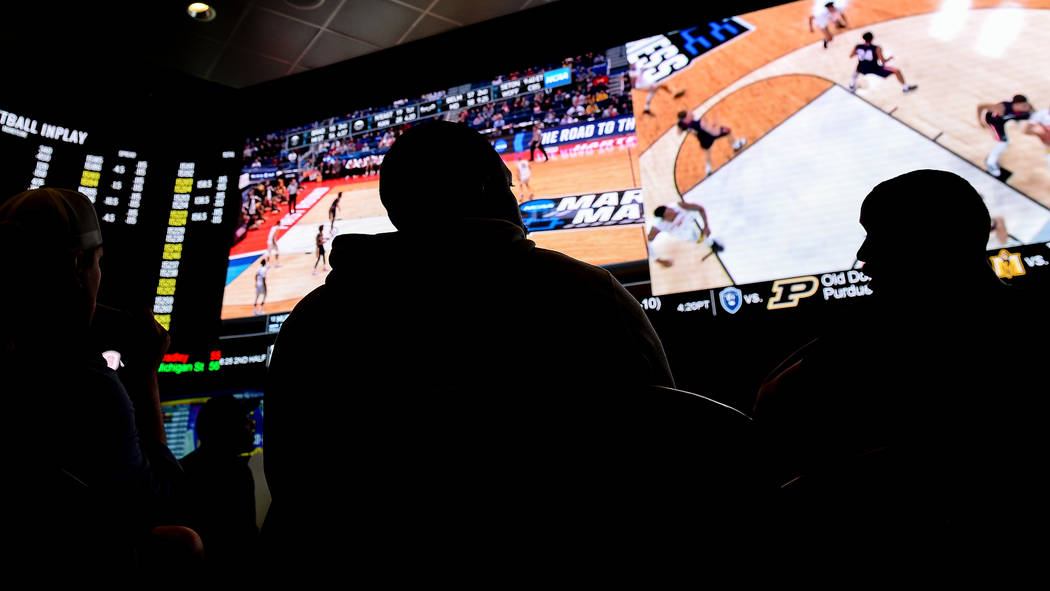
{"points": [[248, 43]]}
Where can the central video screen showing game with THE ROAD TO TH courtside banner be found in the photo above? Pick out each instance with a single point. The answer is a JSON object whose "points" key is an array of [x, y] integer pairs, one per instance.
{"points": [[566, 131]]}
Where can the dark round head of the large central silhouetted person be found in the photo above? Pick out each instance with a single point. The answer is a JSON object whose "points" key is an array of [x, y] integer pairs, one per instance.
{"points": [[440, 173]]}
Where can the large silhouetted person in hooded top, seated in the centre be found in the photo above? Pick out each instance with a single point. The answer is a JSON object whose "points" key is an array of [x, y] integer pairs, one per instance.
{"points": [[448, 392]]}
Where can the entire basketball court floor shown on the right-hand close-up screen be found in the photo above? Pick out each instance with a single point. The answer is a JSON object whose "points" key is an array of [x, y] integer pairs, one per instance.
{"points": [[959, 53]]}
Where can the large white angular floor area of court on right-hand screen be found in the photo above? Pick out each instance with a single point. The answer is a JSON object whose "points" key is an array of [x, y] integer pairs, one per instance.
{"points": [[786, 207]]}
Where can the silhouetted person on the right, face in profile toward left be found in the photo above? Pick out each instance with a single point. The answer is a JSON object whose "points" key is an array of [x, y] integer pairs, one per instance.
{"points": [[900, 424]]}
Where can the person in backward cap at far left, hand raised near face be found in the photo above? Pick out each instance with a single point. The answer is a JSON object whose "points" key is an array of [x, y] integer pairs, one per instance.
{"points": [[69, 413]]}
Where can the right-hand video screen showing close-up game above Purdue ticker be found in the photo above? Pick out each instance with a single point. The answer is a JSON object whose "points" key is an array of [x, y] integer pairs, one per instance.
{"points": [[760, 136]]}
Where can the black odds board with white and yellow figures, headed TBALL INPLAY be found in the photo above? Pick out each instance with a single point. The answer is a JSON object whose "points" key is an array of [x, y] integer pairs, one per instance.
{"points": [[162, 209]]}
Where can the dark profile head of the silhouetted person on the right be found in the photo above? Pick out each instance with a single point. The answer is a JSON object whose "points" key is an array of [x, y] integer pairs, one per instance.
{"points": [[919, 220]]}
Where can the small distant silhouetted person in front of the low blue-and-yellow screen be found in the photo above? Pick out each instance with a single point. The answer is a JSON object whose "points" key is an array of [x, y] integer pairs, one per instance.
{"points": [[221, 488]]}
